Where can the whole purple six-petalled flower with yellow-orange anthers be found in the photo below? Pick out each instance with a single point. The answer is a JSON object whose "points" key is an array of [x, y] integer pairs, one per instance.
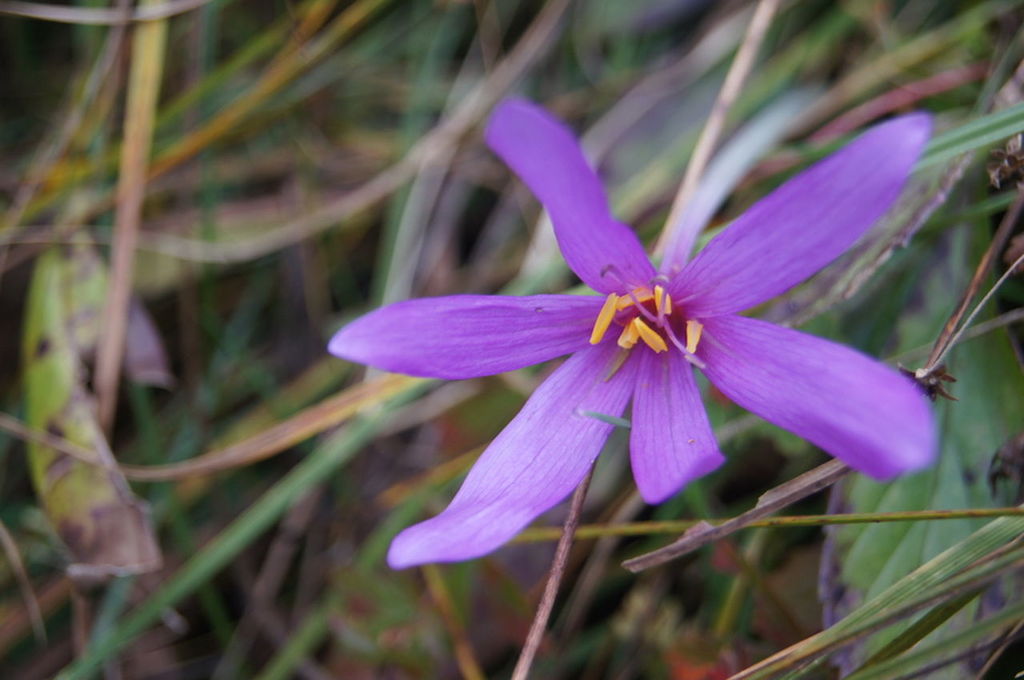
{"points": [[644, 337]]}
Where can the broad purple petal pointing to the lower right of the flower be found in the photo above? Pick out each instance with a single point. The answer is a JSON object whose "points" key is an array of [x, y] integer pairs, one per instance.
{"points": [[859, 410]]}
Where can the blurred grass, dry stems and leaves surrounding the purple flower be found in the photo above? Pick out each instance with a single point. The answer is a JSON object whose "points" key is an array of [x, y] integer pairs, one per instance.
{"points": [[223, 184]]}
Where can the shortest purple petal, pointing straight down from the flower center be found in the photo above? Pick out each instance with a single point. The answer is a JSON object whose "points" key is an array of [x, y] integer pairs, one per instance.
{"points": [[671, 443]]}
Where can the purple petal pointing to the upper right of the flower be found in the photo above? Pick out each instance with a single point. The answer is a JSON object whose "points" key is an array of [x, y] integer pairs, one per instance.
{"points": [[804, 225]]}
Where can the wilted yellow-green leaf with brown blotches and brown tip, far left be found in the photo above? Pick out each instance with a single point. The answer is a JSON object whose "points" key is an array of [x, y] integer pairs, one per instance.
{"points": [[105, 527]]}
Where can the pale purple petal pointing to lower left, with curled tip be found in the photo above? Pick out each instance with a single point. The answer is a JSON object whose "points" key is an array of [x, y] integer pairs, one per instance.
{"points": [[536, 462]]}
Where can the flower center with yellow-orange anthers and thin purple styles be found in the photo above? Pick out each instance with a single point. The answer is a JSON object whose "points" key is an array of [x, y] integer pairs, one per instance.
{"points": [[648, 316]]}
